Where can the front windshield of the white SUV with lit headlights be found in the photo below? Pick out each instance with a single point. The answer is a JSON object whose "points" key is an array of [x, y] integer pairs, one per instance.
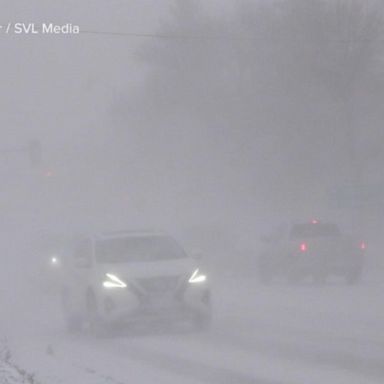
{"points": [[138, 249]]}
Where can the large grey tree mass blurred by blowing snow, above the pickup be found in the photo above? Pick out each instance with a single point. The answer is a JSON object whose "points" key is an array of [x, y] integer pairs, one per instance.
{"points": [[277, 89]]}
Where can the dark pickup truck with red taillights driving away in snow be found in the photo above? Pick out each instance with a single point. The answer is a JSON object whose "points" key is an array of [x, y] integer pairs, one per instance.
{"points": [[316, 249]]}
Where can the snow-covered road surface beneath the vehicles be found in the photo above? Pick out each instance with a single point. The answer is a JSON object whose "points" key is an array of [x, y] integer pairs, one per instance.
{"points": [[269, 335]]}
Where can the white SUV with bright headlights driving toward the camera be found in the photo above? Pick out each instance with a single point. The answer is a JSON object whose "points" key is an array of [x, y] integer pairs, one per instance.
{"points": [[125, 277]]}
